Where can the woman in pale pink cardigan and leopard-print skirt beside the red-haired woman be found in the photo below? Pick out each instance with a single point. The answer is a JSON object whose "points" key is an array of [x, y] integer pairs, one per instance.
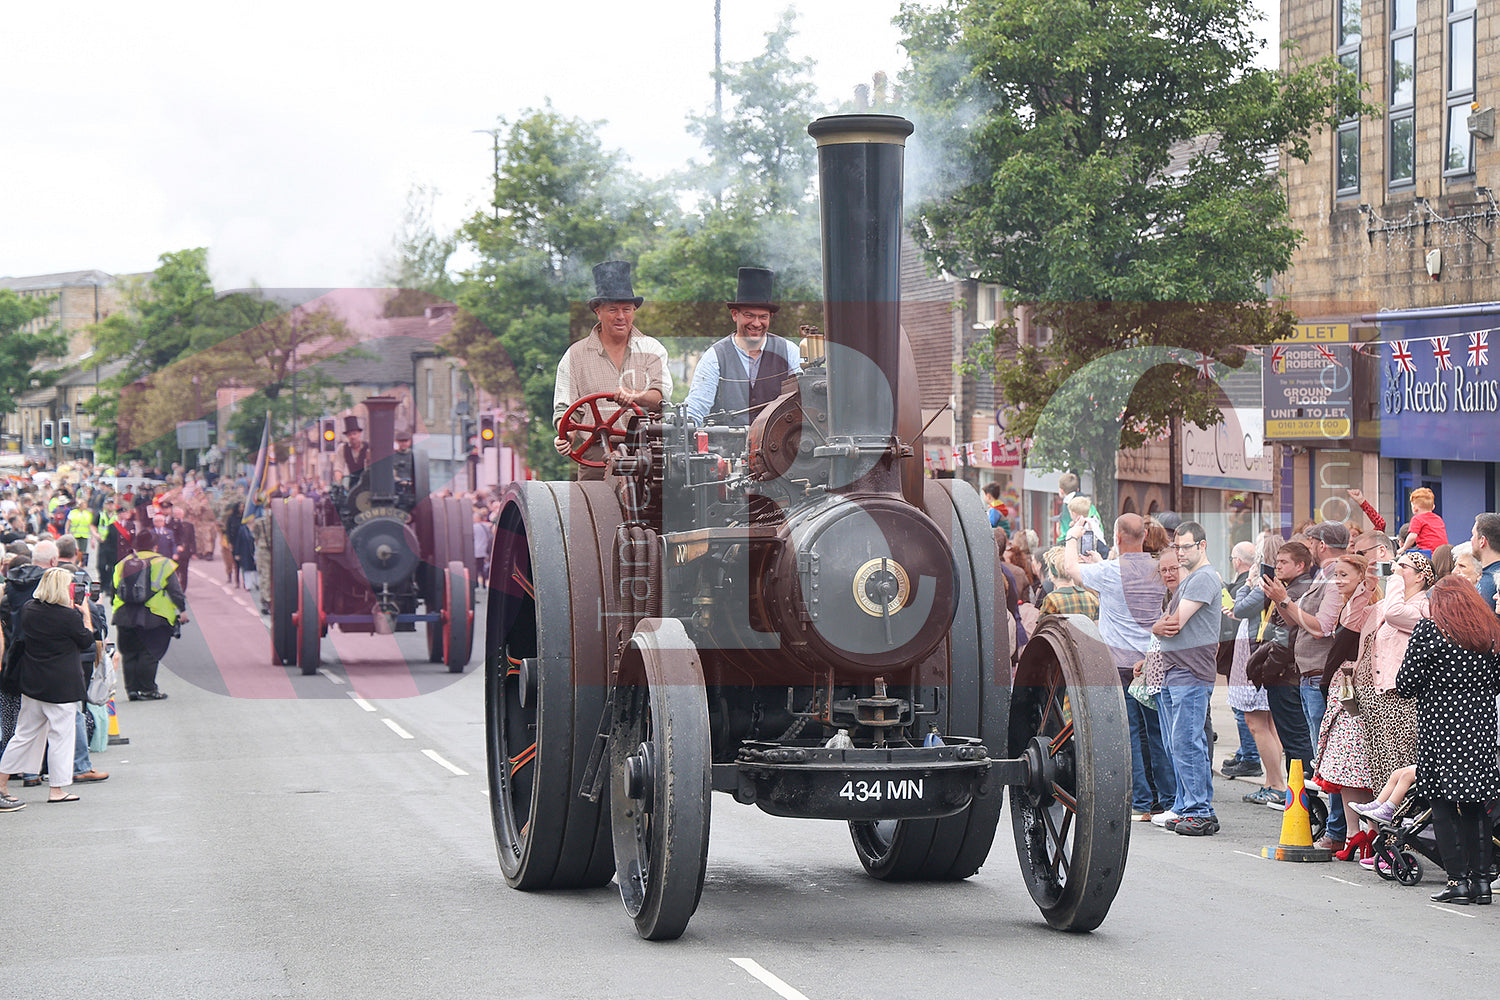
{"points": [[1388, 719]]}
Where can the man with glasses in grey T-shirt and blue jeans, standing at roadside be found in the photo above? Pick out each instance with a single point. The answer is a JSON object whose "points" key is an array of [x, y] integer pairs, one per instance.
{"points": [[1190, 632]]}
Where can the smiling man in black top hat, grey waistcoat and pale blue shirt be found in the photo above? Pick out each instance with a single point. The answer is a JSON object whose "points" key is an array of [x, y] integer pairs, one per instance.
{"points": [[745, 373]]}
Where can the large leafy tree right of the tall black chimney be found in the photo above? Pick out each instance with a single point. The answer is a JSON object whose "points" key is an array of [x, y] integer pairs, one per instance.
{"points": [[1106, 163]]}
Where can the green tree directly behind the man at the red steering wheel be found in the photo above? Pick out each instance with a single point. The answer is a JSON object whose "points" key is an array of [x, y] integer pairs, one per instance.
{"points": [[562, 205]]}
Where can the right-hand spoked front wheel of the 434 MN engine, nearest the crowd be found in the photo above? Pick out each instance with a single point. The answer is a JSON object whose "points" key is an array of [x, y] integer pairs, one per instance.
{"points": [[1072, 818]]}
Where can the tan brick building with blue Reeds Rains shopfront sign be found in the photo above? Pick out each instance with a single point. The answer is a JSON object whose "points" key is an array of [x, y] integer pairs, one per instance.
{"points": [[1400, 229]]}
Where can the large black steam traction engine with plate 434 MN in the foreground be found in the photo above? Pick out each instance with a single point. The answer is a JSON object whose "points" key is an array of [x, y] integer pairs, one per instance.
{"points": [[790, 614]]}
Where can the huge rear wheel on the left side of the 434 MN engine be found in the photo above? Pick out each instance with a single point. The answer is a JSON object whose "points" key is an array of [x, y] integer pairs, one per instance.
{"points": [[545, 684]]}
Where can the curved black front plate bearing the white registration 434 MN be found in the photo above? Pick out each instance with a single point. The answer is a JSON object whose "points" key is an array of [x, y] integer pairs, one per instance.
{"points": [[887, 783]]}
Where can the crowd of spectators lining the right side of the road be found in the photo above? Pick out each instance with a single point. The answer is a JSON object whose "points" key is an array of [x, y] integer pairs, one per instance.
{"points": [[1358, 654]]}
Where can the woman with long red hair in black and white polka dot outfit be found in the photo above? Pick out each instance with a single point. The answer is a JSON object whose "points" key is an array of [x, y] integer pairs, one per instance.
{"points": [[1453, 671]]}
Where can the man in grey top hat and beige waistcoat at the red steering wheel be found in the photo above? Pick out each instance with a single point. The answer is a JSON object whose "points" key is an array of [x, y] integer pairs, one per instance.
{"points": [[614, 359]]}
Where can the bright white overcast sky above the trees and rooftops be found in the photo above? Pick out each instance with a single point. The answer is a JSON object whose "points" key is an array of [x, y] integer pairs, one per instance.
{"points": [[286, 136]]}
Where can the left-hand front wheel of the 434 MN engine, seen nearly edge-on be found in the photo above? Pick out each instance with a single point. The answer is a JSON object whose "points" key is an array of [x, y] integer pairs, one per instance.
{"points": [[659, 780]]}
